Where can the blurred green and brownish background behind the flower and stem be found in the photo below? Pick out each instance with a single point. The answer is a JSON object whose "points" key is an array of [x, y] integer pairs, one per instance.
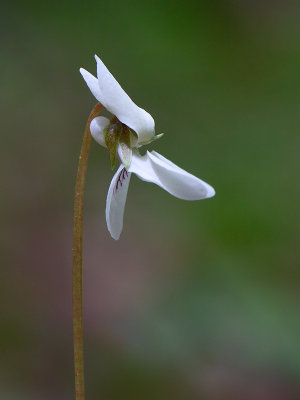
{"points": [[198, 300]]}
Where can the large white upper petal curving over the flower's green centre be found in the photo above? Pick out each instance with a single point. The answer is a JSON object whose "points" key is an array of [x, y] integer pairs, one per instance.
{"points": [[116, 101]]}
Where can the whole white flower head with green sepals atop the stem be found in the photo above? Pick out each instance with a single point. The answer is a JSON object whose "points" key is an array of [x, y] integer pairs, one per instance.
{"points": [[130, 128]]}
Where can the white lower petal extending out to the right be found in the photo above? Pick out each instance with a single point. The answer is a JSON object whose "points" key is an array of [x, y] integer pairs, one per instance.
{"points": [[153, 167]]}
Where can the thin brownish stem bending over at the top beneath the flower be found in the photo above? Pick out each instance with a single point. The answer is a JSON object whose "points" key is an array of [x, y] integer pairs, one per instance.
{"points": [[77, 257]]}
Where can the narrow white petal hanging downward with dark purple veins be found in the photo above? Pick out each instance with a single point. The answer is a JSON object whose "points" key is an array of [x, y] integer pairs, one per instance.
{"points": [[115, 202]]}
